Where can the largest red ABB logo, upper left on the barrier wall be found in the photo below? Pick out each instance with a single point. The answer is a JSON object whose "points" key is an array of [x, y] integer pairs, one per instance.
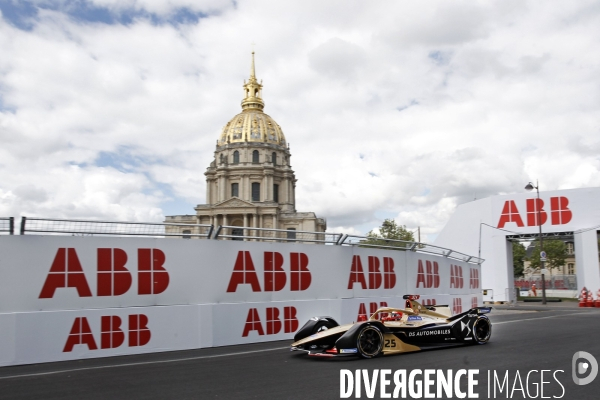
{"points": [[113, 278]]}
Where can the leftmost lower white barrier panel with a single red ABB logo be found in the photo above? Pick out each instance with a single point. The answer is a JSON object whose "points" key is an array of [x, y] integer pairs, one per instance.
{"points": [[75, 334]]}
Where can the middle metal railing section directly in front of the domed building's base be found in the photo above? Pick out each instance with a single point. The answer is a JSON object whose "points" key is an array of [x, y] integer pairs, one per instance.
{"points": [[278, 235]]}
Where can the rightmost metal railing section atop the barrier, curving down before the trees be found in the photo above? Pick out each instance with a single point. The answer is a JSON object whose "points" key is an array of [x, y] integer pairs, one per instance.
{"points": [[403, 245]]}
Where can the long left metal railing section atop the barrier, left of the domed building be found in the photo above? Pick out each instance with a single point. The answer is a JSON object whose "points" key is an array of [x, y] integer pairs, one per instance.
{"points": [[113, 228]]}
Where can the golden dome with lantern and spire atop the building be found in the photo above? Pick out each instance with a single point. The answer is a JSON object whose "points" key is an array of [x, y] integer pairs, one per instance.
{"points": [[252, 124]]}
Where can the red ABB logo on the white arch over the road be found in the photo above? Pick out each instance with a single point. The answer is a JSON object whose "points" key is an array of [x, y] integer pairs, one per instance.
{"points": [[559, 212]]}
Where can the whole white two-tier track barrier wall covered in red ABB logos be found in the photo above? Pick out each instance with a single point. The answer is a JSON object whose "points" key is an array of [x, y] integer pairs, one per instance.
{"points": [[64, 298]]}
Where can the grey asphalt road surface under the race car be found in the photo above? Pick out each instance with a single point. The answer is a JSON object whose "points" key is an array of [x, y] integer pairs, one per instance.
{"points": [[522, 341]]}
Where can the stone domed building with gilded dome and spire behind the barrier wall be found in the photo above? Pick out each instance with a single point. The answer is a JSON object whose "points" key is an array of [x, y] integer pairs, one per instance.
{"points": [[250, 182]]}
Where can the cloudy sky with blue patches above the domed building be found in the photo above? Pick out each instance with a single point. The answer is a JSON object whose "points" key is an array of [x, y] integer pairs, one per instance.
{"points": [[110, 109]]}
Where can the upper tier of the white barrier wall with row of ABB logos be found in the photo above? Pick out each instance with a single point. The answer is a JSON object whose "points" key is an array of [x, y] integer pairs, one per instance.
{"points": [[60, 273]]}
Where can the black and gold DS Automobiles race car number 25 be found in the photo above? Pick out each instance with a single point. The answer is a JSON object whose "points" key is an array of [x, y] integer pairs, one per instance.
{"points": [[394, 330]]}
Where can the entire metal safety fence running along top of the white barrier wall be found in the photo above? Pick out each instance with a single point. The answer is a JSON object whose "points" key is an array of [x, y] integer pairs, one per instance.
{"points": [[74, 227]]}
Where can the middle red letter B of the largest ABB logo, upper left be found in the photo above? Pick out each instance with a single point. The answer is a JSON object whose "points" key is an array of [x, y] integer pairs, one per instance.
{"points": [[113, 278]]}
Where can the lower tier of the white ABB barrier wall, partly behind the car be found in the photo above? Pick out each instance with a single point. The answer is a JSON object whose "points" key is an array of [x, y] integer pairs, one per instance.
{"points": [[46, 336]]}
